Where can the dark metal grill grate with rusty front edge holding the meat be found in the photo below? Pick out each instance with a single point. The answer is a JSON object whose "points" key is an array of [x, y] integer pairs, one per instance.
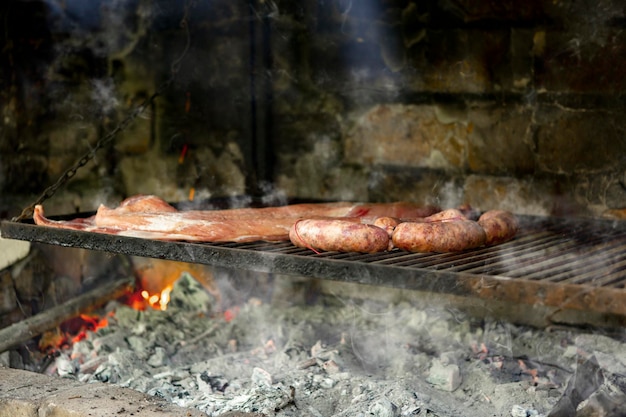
{"points": [[569, 263]]}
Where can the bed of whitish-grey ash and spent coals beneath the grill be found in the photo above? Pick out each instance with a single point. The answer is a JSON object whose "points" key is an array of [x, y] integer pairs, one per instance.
{"points": [[337, 358]]}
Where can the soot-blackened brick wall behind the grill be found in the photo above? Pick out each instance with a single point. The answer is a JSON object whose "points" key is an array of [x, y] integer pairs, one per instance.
{"points": [[496, 104]]}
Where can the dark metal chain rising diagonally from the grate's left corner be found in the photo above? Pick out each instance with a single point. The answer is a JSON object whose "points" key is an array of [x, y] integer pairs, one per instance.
{"points": [[88, 156]]}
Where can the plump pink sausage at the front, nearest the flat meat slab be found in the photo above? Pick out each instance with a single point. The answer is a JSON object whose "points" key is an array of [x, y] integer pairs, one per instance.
{"points": [[338, 235]]}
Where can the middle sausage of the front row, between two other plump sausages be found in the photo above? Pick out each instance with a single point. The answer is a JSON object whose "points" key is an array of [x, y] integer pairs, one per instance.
{"points": [[438, 236]]}
